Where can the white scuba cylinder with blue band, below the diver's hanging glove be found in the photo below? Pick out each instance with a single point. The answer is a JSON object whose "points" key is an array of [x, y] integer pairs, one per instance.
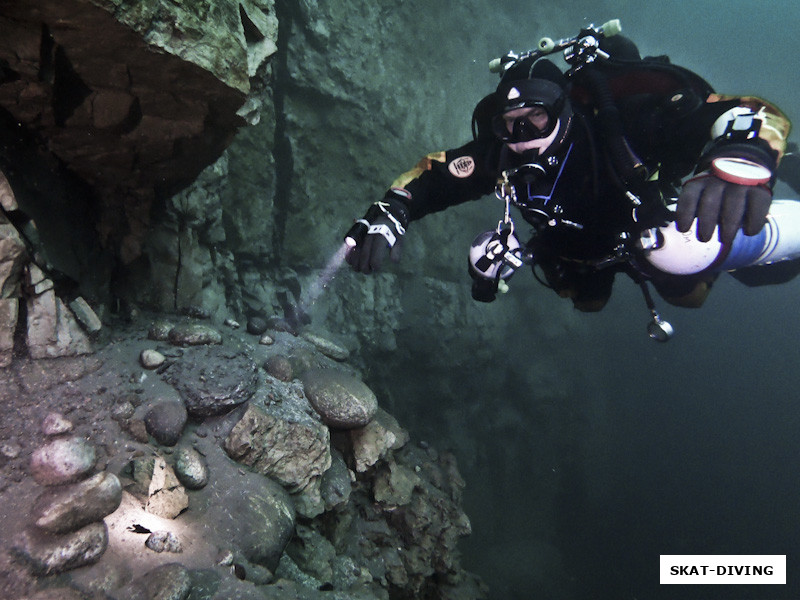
{"points": [[678, 253]]}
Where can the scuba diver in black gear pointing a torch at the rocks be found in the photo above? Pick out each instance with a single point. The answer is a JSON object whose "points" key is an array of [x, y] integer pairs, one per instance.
{"points": [[619, 164]]}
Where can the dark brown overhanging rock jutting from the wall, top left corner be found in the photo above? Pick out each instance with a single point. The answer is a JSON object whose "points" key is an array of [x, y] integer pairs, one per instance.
{"points": [[135, 98]]}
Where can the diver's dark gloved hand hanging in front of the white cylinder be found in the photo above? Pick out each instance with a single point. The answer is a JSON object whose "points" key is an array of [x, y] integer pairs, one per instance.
{"points": [[715, 202]]}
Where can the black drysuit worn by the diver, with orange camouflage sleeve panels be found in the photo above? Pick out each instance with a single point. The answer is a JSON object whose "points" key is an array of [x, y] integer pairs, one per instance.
{"points": [[610, 178]]}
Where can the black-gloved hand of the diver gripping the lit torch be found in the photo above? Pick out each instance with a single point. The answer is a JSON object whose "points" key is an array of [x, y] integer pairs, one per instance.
{"points": [[379, 233]]}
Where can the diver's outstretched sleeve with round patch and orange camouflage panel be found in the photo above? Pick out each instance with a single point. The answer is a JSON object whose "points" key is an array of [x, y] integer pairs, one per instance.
{"points": [[444, 179]]}
